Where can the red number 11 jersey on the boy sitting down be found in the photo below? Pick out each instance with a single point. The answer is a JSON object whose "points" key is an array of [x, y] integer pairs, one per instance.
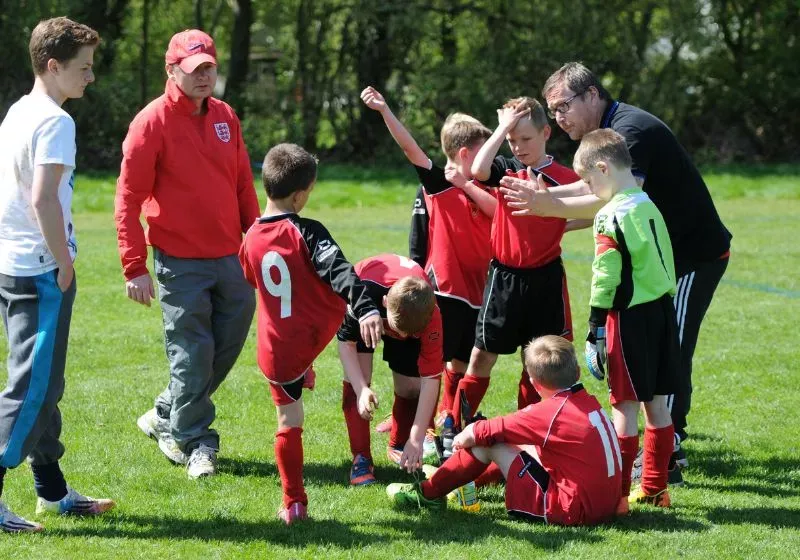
{"points": [[578, 447]]}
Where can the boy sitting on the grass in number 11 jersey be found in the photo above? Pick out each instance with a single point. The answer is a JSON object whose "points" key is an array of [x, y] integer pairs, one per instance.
{"points": [[560, 456]]}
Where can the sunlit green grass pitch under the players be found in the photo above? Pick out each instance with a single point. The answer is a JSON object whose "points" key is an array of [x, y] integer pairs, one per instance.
{"points": [[742, 498]]}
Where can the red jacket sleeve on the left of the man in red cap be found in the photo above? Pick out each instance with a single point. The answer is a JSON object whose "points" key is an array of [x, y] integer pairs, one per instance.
{"points": [[135, 185]]}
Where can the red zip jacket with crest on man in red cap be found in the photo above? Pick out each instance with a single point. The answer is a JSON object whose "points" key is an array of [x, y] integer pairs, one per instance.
{"points": [[190, 176]]}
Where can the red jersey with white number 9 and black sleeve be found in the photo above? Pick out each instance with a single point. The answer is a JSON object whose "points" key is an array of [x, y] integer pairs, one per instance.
{"points": [[304, 284]]}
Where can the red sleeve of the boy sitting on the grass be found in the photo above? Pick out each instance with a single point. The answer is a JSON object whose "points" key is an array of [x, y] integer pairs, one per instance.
{"points": [[523, 427]]}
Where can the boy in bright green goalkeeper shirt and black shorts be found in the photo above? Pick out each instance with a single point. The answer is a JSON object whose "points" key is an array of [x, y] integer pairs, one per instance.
{"points": [[632, 325]]}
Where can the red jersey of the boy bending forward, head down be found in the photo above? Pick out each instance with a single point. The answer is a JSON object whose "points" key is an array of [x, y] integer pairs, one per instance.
{"points": [[380, 273]]}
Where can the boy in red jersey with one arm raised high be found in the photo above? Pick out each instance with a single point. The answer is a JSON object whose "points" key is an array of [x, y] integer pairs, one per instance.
{"points": [[450, 229]]}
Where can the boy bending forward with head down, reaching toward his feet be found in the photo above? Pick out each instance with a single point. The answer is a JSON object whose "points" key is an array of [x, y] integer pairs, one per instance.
{"points": [[412, 346]]}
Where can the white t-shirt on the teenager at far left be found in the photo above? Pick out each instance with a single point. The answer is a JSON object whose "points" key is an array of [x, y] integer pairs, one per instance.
{"points": [[35, 131]]}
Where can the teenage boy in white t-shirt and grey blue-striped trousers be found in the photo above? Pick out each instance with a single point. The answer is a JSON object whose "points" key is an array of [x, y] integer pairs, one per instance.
{"points": [[37, 280]]}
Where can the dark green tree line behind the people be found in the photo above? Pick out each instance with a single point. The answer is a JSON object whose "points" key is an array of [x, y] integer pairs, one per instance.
{"points": [[722, 73]]}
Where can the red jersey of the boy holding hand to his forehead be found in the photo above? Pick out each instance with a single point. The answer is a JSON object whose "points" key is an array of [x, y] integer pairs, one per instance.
{"points": [[527, 241]]}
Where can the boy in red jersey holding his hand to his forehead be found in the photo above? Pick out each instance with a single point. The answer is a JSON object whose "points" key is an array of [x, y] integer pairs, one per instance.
{"points": [[526, 294]]}
